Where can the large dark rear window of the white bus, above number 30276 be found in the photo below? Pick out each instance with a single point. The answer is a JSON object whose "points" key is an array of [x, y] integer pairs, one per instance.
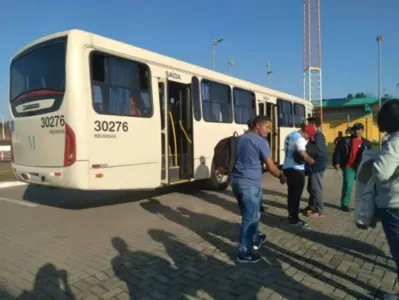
{"points": [[41, 67]]}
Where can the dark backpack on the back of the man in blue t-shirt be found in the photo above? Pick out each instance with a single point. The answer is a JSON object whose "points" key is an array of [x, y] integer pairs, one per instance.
{"points": [[225, 154]]}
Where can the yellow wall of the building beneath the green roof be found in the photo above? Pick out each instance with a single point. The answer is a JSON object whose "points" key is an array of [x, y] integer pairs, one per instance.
{"points": [[331, 127]]}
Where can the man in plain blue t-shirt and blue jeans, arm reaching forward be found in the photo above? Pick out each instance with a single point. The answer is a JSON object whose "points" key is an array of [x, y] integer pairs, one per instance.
{"points": [[252, 152]]}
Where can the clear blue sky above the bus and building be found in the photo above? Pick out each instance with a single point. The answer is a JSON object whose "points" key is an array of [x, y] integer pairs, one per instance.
{"points": [[254, 32]]}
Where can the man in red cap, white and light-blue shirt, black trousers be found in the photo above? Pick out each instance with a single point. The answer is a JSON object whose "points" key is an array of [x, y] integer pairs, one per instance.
{"points": [[295, 143]]}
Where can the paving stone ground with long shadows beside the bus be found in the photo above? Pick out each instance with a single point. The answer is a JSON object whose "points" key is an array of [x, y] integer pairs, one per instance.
{"points": [[181, 244]]}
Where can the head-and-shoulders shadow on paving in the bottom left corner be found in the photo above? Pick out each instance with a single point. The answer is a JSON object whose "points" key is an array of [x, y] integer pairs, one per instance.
{"points": [[50, 283]]}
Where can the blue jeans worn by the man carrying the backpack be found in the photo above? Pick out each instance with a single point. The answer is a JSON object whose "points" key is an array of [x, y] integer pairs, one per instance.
{"points": [[249, 199]]}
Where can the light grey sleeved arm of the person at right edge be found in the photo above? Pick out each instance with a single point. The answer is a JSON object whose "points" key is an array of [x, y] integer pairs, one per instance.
{"points": [[387, 162]]}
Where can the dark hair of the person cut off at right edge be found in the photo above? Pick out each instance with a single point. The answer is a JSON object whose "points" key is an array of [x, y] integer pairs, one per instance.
{"points": [[388, 116]]}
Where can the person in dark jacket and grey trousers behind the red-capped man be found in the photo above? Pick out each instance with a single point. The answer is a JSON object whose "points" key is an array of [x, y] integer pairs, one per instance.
{"points": [[315, 172]]}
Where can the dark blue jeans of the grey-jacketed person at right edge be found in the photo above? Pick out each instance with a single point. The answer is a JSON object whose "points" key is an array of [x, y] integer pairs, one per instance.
{"points": [[390, 223]]}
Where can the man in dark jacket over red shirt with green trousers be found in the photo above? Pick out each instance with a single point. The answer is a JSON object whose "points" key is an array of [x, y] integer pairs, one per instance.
{"points": [[347, 157]]}
